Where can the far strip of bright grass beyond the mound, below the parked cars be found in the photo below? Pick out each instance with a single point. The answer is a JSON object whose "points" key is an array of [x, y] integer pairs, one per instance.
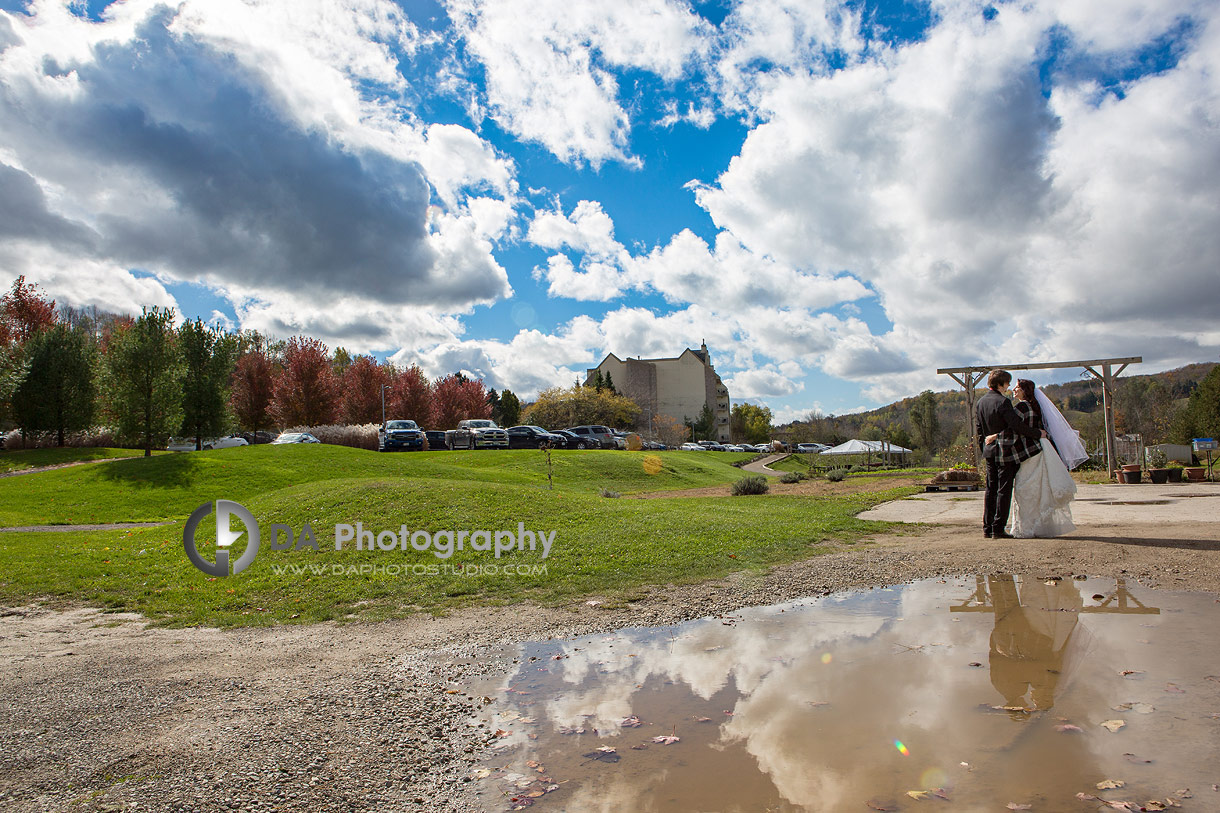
{"points": [[170, 486]]}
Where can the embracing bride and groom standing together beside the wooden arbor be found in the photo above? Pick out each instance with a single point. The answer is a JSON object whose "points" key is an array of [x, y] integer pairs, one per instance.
{"points": [[1029, 449]]}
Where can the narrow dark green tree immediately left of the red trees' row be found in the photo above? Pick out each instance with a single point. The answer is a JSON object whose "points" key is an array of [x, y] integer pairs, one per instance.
{"points": [[209, 358]]}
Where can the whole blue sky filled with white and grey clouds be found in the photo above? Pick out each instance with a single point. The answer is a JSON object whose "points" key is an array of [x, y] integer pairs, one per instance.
{"points": [[838, 197]]}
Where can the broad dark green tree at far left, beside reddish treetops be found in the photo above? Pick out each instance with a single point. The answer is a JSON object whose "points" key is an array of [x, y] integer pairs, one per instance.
{"points": [[58, 391]]}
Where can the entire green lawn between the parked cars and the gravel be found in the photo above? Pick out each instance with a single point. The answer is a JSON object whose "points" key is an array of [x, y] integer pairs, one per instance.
{"points": [[602, 546]]}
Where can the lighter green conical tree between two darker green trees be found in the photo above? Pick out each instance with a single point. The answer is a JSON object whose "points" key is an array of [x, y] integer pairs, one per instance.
{"points": [[142, 379]]}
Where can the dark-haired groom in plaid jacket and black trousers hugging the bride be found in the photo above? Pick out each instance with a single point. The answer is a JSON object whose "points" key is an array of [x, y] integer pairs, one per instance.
{"points": [[995, 416]]}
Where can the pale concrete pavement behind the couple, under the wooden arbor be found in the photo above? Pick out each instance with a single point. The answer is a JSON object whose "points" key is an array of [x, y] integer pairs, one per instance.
{"points": [[1095, 505]]}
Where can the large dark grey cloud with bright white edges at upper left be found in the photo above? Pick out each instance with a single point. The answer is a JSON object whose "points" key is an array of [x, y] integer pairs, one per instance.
{"points": [[175, 140]]}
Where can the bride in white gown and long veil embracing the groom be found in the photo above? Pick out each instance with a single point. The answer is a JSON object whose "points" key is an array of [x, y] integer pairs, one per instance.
{"points": [[1044, 491]]}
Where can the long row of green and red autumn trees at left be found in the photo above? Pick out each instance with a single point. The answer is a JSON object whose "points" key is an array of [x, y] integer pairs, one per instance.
{"points": [[148, 379]]}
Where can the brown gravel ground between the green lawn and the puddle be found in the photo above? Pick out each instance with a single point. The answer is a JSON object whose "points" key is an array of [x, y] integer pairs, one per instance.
{"points": [[99, 712]]}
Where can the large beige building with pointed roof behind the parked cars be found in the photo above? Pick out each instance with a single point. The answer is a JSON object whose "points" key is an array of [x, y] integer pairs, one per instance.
{"points": [[678, 388]]}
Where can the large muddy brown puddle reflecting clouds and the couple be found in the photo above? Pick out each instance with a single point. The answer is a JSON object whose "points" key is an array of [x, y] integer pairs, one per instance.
{"points": [[983, 694]]}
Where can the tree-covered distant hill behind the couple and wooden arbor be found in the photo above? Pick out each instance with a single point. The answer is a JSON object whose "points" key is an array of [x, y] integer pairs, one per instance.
{"points": [[1144, 405]]}
